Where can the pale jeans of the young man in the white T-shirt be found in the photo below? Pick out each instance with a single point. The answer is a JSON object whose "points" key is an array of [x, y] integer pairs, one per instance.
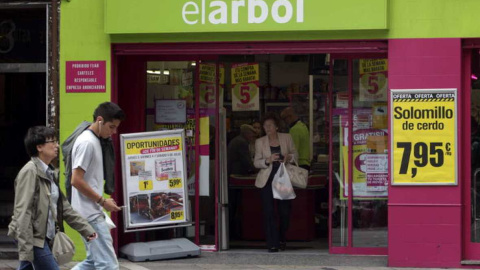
{"points": [[100, 252]]}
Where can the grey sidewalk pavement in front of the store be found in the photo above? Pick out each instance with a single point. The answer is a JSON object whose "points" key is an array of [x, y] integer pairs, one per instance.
{"points": [[252, 259]]}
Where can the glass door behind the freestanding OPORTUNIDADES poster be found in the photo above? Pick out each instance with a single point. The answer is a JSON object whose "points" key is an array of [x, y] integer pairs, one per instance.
{"points": [[196, 82]]}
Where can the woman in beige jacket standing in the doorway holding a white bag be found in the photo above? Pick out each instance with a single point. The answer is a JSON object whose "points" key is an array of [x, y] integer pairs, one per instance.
{"points": [[270, 150]]}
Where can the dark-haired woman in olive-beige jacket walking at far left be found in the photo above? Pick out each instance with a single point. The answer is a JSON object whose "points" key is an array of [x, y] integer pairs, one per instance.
{"points": [[38, 200]]}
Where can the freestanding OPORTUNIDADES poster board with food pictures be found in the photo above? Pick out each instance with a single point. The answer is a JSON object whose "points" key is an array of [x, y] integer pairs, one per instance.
{"points": [[154, 178]]}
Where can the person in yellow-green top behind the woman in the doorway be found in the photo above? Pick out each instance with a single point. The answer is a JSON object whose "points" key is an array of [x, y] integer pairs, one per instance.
{"points": [[300, 135]]}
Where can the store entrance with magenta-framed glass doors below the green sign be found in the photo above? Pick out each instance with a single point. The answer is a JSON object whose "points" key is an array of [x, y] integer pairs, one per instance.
{"points": [[325, 91]]}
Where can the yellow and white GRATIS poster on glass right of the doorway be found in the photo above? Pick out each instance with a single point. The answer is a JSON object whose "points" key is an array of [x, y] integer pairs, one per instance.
{"points": [[370, 157]]}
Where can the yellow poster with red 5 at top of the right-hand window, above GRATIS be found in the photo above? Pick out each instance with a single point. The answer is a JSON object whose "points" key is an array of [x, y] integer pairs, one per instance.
{"points": [[373, 79]]}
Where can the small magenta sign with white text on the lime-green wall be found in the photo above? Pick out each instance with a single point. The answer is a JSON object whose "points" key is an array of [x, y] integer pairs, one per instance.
{"points": [[85, 76]]}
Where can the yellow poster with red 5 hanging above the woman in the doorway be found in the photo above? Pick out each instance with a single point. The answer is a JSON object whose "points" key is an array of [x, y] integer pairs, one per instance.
{"points": [[245, 87]]}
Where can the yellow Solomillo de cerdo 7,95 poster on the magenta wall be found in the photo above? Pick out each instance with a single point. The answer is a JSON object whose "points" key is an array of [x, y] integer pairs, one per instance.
{"points": [[424, 137]]}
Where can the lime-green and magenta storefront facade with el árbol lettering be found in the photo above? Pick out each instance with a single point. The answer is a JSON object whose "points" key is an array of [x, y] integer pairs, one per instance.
{"points": [[428, 45]]}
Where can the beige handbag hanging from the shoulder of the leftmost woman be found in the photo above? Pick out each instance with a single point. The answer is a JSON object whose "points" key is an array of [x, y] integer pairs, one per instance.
{"points": [[63, 248]]}
